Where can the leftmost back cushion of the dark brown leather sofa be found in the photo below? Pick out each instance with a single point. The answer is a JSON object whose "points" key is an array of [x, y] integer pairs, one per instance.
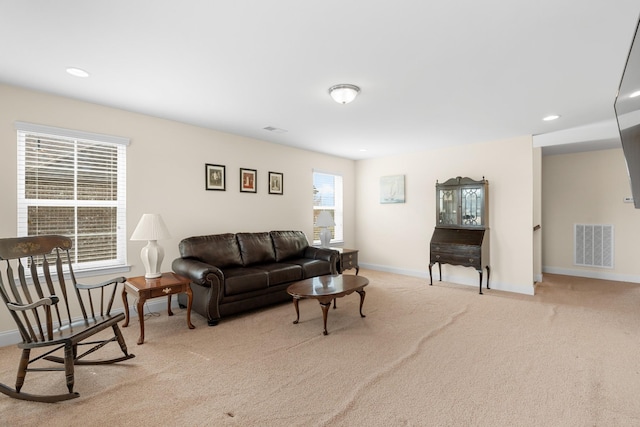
{"points": [[220, 250]]}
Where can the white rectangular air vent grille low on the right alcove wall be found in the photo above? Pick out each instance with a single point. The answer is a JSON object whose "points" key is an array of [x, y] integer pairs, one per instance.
{"points": [[593, 245]]}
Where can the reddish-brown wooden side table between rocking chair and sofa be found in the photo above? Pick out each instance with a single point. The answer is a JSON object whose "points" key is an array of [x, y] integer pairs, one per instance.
{"points": [[144, 289]]}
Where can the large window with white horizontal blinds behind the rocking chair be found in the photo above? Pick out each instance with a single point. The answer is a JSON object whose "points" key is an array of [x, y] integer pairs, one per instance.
{"points": [[74, 183]]}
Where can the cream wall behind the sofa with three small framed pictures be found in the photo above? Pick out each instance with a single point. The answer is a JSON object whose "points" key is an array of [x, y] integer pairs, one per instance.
{"points": [[166, 174]]}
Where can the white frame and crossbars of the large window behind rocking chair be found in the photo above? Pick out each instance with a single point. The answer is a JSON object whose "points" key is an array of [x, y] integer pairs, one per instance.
{"points": [[23, 130]]}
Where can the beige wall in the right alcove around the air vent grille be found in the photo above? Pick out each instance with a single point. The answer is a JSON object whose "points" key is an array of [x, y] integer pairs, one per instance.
{"points": [[588, 188]]}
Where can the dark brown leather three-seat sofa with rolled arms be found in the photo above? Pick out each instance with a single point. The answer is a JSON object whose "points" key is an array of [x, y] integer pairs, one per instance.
{"points": [[233, 273]]}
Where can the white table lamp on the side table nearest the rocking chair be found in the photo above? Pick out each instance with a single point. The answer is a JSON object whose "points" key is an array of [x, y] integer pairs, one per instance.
{"points": [[151, 228]]}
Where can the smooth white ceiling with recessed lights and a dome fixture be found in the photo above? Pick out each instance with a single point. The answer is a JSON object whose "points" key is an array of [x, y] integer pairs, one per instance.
{"points": [[432, 73]]}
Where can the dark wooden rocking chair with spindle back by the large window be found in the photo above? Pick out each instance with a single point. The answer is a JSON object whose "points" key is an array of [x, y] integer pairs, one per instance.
{"points": [[52, 316]]}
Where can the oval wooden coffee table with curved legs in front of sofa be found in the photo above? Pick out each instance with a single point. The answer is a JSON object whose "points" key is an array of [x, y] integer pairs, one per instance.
{"points": [[326, 289]]}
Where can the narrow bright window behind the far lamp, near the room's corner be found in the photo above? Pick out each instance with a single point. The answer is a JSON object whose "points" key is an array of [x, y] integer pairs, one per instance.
{"points": [[327, 196]]}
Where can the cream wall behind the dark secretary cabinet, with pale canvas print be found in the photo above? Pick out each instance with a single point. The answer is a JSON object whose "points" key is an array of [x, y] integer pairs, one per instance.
{"points": [[396, 237]]}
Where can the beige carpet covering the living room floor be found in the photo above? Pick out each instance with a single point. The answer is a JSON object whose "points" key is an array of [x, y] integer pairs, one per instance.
{"points": [[436, 356]]}
